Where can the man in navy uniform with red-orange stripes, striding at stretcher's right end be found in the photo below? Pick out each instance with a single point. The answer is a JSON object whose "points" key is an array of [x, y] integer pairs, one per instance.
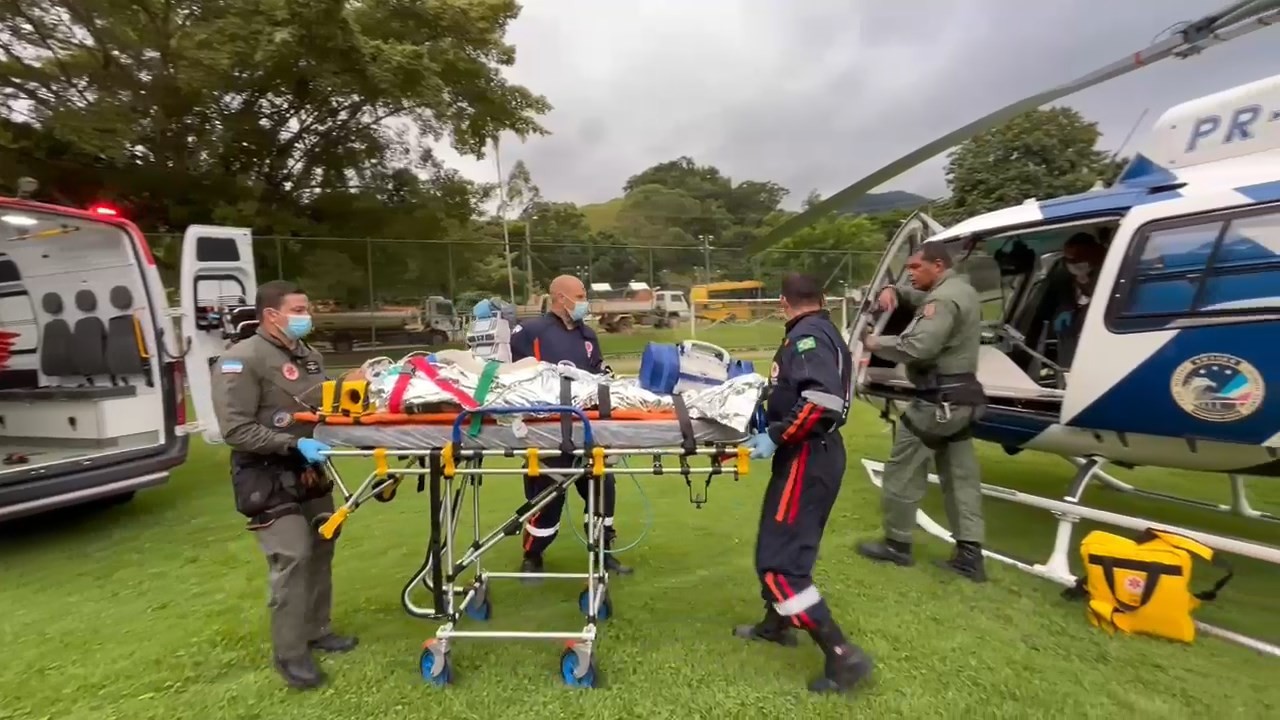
{"points": [[806, 407]]}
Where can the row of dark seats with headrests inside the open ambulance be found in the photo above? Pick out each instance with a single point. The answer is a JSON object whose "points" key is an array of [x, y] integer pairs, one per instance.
{"points": [[86, 361]]}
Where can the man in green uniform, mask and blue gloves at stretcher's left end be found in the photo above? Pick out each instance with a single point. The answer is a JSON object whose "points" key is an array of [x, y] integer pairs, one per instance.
{"points": [[259, 385]]}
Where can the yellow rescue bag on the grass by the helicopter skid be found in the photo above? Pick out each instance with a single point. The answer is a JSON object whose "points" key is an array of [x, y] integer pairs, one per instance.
{"points": [[1145, 586]]}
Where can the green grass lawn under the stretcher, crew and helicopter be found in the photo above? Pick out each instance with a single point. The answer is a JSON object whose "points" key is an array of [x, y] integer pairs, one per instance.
{"points": [[156, 610]]}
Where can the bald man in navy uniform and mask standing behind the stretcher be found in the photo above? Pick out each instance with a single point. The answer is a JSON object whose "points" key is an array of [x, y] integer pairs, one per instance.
{"points": [[560, 336]]}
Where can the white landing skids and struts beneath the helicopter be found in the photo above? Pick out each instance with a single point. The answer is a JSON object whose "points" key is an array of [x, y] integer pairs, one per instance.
{"points": [[1069, 512]]}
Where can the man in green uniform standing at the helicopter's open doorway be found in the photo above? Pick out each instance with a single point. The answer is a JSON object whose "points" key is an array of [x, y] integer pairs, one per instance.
{"points": [[940, 350]]}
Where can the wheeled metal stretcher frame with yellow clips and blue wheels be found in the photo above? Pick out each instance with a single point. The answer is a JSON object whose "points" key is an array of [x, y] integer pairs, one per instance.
{"points": [[447, 472]]}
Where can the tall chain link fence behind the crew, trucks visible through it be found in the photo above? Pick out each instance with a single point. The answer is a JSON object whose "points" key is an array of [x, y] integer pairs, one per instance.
{"points": [[433, 284]]}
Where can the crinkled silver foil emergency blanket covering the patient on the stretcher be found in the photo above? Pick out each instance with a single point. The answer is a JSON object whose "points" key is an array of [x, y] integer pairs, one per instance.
{"points": [[730, 404]]}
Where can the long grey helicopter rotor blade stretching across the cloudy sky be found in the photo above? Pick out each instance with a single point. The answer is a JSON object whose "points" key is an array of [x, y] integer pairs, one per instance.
{"points": [[1228, 24]]}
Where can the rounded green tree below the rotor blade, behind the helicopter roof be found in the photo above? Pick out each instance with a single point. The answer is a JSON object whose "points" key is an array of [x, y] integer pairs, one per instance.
{"points": [[1039, 154]]}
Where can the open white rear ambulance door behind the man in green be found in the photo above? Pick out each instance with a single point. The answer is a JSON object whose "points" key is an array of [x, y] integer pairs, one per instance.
{"points": [[217, 274]]}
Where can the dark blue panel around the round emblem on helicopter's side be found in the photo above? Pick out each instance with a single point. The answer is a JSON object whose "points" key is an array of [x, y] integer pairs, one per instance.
{"points": [[1142, 403]]}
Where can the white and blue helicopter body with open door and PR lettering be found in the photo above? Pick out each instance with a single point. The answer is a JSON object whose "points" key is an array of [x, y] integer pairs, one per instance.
{"points": [[1177, 363]]}
